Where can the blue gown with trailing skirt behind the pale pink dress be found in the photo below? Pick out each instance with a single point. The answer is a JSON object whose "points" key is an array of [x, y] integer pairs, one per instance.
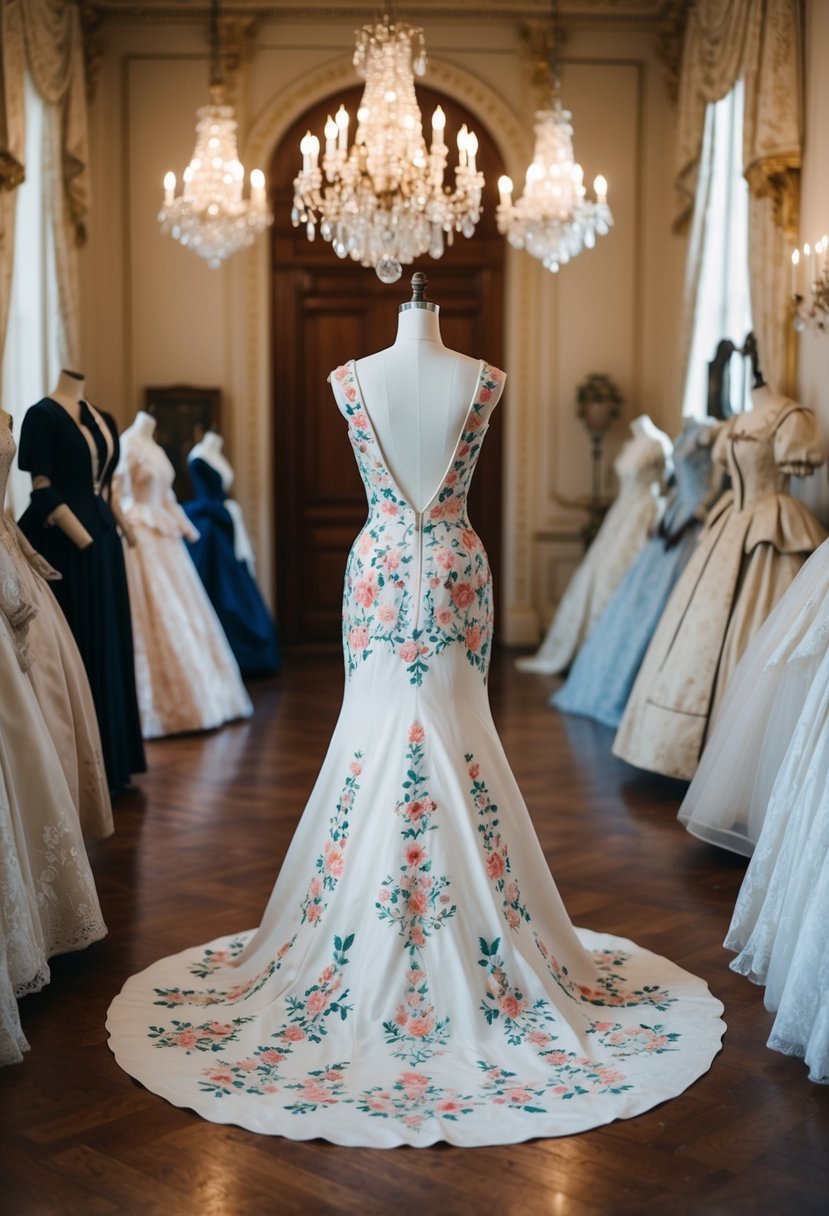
{"points": [[229, 583]]}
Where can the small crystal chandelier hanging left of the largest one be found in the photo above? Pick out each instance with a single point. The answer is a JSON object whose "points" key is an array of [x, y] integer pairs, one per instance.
{"points": [[211, 217]]}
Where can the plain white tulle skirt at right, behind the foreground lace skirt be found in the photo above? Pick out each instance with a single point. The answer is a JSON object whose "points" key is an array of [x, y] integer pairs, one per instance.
{"points": [[729, 800]]}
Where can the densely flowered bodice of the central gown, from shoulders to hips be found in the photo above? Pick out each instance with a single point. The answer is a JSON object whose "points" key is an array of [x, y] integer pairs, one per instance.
{"points": [[418, 583]]}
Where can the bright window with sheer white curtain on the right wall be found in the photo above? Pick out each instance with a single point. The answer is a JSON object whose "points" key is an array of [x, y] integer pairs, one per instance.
{"points": [[718, 282]]}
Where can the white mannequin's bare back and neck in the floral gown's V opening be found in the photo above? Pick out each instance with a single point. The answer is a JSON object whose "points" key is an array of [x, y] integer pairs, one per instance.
{"points": [[419, 423]]}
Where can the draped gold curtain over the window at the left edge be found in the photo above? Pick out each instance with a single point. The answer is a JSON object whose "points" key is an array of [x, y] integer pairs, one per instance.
{"points": [[46, 36]]}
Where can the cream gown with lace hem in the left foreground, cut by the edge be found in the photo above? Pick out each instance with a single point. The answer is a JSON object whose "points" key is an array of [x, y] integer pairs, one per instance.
{"points": [[48, 899]]}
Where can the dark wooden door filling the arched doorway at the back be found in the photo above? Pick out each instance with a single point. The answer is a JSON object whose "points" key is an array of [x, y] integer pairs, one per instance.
{"points": [[326, 312]]}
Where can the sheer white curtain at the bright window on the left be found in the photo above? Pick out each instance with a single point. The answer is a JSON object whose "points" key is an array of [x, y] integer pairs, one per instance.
{"points": [[32, 359]]}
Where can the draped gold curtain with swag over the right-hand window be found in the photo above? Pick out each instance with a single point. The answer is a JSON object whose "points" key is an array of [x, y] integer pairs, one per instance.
{"points": [[759, 42]]}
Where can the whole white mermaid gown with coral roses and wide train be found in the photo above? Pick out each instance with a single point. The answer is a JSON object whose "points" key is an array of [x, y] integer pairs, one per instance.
{"points": [[416, 977]]}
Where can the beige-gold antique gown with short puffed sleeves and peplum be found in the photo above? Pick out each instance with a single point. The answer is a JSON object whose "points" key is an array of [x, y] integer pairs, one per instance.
{"points": [[754, 544]]}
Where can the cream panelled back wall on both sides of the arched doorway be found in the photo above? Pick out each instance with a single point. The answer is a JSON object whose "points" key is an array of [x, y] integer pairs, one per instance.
{"points": [[153, 314]]}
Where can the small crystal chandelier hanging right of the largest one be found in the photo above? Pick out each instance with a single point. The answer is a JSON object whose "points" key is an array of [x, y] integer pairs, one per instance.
{"points": [[554, 219]]}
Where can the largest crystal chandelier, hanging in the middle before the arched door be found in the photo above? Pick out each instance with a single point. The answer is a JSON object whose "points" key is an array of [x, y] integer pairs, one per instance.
{"points": [[384, 202]]}
